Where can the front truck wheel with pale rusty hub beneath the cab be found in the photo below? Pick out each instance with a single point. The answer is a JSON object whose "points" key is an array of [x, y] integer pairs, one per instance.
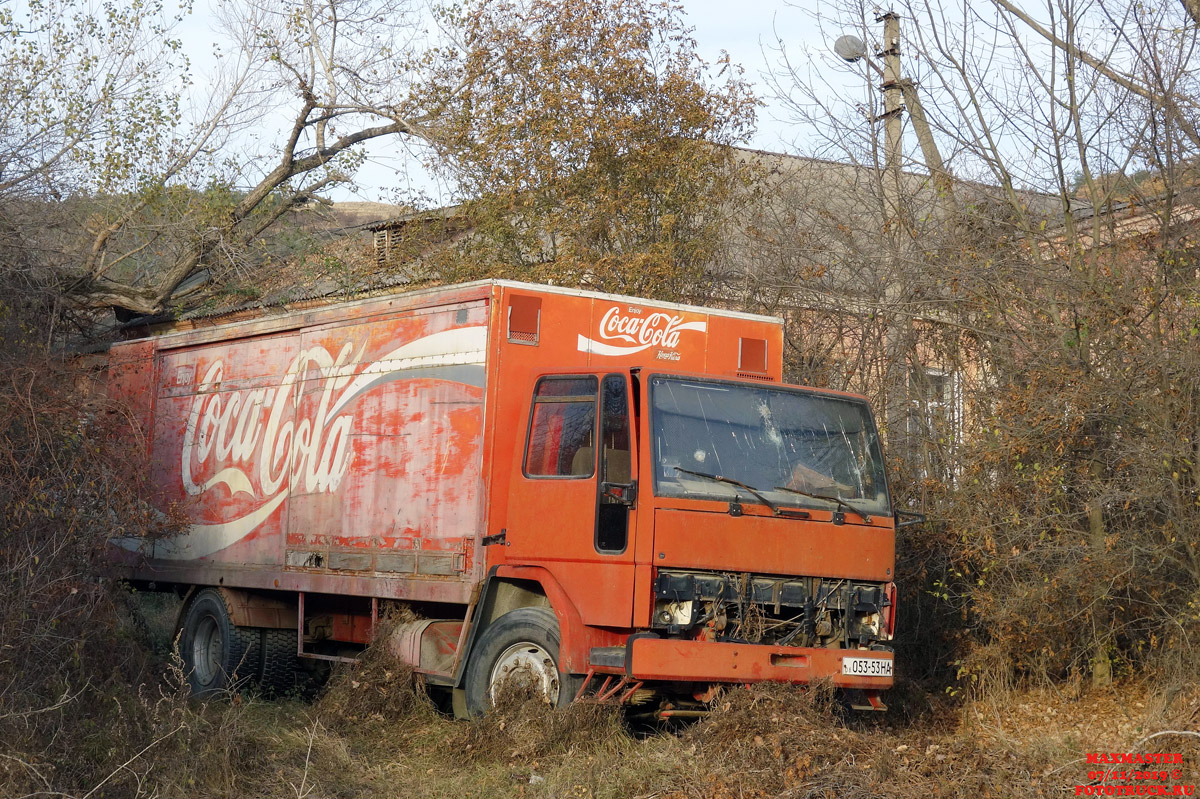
{"points": [[521, 646]]}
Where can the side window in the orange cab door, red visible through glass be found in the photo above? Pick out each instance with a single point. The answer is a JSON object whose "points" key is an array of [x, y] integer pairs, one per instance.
{"points": [[562, 429]]}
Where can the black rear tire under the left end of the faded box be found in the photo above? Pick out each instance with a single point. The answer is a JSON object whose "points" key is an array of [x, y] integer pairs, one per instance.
{"points": [[218, 656]]}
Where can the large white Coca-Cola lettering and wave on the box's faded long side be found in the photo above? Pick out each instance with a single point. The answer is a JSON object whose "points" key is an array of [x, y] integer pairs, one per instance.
{"points": [[227, 431]]}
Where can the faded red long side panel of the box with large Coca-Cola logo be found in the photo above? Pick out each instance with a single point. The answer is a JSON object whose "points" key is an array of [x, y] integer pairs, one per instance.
{"points": [[347, 449]]}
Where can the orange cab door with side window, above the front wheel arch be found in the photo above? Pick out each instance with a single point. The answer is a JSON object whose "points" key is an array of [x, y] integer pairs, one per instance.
{"points": [[572, 501]]}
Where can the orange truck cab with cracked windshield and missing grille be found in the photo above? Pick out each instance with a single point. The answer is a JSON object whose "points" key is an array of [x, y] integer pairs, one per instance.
{"points": [[741, 531]]}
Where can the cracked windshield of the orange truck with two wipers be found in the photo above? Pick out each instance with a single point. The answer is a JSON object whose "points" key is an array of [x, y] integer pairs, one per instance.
{"points": [[795, 448]]}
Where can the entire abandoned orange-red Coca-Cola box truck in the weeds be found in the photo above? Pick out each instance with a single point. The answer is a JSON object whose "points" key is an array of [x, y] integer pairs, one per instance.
{"points": [[593, 495]]}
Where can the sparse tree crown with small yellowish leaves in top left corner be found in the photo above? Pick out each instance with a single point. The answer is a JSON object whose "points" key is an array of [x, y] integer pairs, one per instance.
{"points": [[83, 93]]}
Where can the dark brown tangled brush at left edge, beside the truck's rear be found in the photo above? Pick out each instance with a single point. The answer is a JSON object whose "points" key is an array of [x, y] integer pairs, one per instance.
{"points": [[70, 660]]}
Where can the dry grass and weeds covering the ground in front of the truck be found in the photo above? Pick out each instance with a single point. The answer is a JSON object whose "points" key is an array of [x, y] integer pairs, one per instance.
{"points": [[374, 734]]}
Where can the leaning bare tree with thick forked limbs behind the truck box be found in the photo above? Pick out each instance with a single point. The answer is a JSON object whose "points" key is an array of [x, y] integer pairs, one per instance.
{"points": [[335, 74]]}
